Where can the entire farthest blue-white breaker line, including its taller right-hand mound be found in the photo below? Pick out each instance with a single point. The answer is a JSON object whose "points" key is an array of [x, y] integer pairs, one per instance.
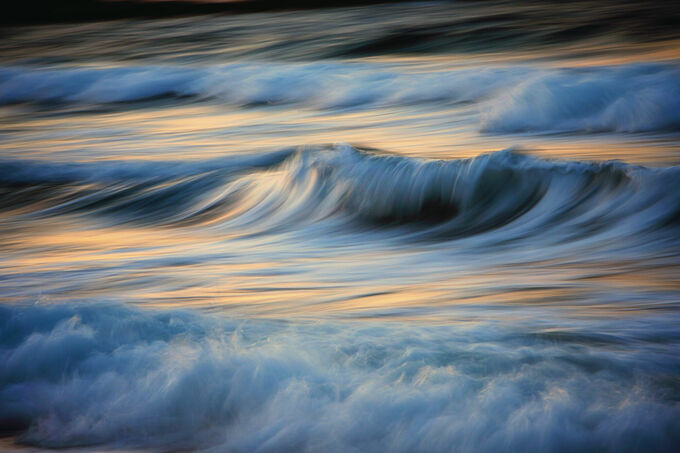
{"points": [[626, 98]]}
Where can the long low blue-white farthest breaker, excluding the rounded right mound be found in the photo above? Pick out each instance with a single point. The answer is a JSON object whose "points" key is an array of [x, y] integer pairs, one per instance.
{"points": [[319, 85]]}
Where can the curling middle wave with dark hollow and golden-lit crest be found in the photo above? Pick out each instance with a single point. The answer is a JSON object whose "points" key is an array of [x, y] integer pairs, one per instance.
{"points": [[520, 195]]}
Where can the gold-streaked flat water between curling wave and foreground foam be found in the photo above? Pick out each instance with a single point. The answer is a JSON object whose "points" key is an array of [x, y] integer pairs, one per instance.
{"points": [[209, 268]]}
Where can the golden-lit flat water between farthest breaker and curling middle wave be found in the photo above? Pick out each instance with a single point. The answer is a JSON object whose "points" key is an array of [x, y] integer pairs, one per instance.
{"points": [[213, 130]]}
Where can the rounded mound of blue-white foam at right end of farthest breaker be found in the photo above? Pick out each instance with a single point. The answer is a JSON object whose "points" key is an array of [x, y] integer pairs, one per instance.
{"points": [[634, 98]]}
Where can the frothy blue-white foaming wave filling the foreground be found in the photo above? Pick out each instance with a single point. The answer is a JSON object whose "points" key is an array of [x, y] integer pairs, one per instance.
{"points": [[84, 375]]}
